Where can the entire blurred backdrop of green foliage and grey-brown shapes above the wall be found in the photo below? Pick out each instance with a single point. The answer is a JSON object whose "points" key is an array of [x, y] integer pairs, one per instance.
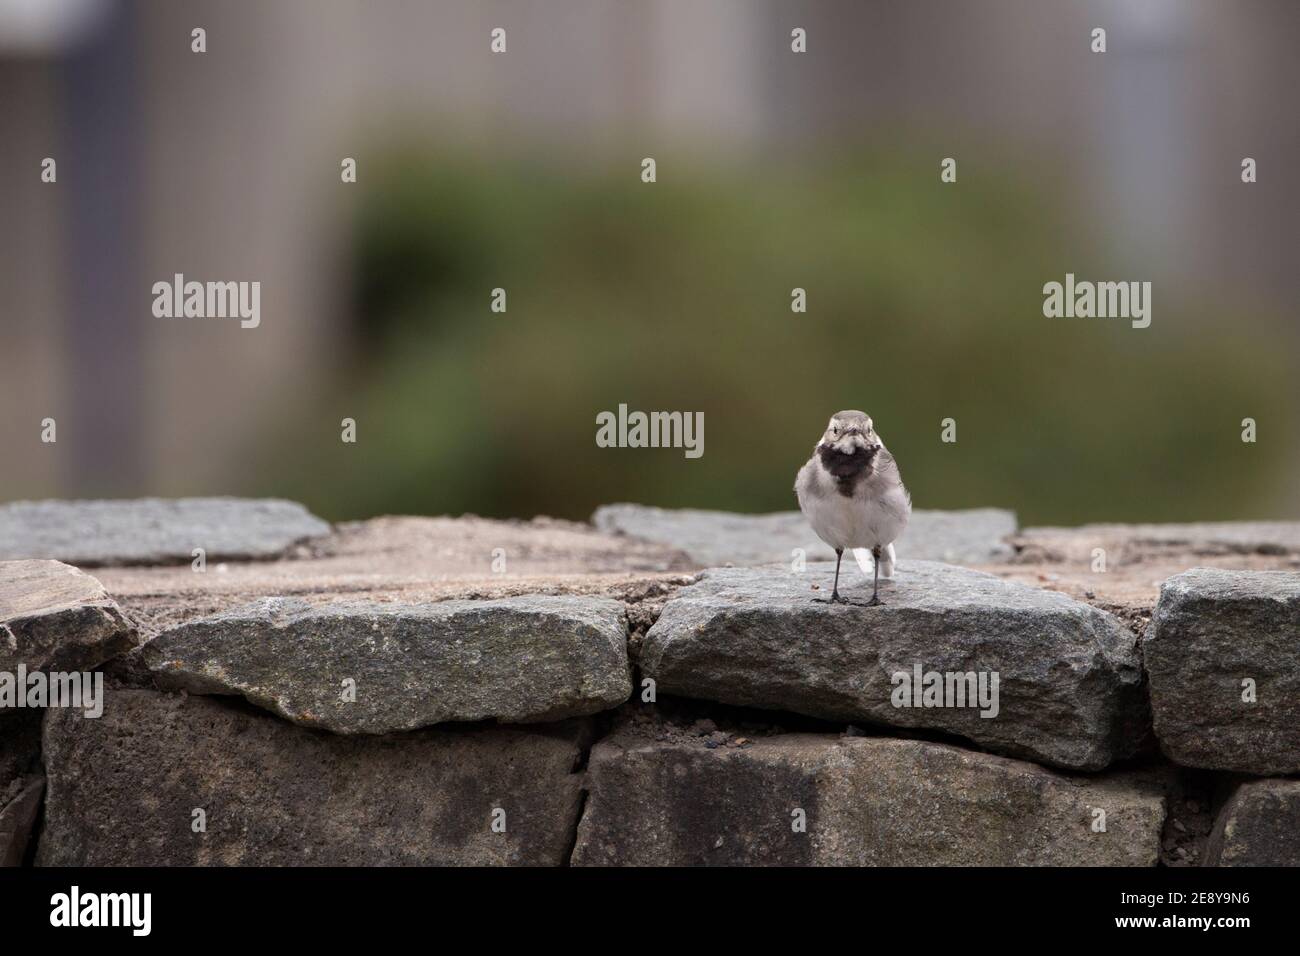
{"points": [[775, 171]]}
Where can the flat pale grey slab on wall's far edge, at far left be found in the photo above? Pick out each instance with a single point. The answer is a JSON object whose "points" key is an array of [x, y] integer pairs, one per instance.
{"points": [[154, 531]]}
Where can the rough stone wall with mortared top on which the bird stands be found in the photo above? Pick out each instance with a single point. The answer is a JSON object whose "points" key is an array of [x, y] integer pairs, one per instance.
{"points": [[417, 691]]}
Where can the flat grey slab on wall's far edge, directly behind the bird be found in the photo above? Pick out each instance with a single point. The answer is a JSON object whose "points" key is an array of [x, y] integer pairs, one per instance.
{"points": [[716, 539]]}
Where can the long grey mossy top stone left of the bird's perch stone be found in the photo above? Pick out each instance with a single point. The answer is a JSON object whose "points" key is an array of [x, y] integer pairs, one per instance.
{"points": [[517, 660]]}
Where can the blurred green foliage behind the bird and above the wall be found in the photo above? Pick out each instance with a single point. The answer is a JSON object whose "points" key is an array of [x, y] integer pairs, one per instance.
{"points": [[925, 302]]}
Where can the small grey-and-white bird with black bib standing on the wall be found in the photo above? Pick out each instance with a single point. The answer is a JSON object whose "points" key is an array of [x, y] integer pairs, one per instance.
{"points": [[853, 496]]}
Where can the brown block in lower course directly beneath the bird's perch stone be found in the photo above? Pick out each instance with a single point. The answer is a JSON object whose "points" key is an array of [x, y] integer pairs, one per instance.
{"points": [[864, 802]]}
